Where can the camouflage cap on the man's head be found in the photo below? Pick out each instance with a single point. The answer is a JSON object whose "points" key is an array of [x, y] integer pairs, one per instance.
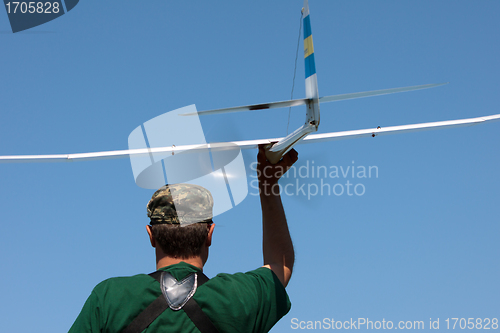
{"points": [[182, 204]]}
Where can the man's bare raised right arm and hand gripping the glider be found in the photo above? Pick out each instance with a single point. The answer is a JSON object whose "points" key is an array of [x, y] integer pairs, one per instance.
{"points": [[276, 242]]}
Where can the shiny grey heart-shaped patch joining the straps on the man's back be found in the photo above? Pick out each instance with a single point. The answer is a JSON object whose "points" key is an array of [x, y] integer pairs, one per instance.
{"points": [[177, 293]]}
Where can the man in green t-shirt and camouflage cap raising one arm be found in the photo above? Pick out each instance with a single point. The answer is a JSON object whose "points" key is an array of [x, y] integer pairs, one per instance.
{"points": [[184, 300]]}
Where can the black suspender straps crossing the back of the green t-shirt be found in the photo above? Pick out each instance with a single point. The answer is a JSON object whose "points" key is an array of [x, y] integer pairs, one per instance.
{"points": [[159, 305]]}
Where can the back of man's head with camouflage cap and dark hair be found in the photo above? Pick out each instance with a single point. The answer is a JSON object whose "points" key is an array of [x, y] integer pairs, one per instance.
{"points": [[181, 215]]}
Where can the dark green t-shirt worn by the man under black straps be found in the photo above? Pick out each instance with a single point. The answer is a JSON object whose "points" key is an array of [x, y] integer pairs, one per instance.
{"points": [[241, 302]]}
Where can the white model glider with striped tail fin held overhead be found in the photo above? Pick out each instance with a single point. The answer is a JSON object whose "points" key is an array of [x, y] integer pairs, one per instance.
{"points": [[276, 147]]}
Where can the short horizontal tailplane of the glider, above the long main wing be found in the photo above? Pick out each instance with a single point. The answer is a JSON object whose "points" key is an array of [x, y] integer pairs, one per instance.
{"points": [[302, 101]]}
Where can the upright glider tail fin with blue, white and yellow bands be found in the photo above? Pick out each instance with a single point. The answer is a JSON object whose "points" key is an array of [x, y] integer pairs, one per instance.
{"points": [[310, 69]]}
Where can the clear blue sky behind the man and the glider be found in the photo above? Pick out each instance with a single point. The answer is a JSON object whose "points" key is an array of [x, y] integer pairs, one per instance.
{"points": [[420, 243]]}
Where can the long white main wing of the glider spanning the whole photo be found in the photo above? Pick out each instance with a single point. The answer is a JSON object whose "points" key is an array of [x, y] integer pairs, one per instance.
{"points": [[249, 144]]}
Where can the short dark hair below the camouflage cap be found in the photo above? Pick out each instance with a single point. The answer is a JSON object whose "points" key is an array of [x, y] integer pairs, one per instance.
{"points": [[181, 242]]}
